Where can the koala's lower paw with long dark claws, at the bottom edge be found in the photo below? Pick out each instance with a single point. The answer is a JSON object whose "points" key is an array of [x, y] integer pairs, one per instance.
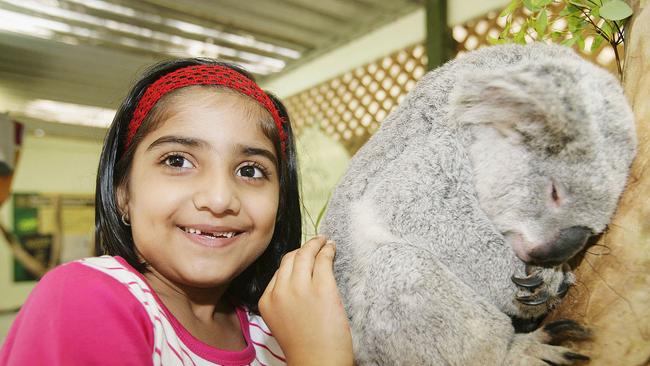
{"points": [[537, 348]]}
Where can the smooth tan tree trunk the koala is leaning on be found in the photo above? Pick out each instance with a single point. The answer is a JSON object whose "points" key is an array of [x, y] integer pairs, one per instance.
{"points": [[612, 295]]}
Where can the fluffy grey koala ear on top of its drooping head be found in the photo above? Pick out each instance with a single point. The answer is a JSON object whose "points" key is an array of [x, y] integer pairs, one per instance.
{"points": [[538, 104]]}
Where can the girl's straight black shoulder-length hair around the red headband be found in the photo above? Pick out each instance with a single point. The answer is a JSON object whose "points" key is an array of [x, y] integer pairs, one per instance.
{"points": [[113, 237]]}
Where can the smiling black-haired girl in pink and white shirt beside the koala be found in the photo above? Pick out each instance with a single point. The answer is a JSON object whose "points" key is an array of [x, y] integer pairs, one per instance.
{"points": [[196, 203]]}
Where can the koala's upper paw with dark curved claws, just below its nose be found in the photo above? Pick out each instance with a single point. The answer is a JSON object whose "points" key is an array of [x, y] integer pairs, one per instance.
{"points": [[541, 289]]}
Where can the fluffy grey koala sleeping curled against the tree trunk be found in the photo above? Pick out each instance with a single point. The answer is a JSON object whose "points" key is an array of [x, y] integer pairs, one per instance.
{"points": [[461, 212]]}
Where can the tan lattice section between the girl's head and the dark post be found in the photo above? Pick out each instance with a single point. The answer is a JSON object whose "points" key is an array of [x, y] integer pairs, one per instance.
{"points": [[350, 108]]}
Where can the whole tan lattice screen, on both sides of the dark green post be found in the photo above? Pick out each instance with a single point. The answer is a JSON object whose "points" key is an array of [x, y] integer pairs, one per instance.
{"points": [[350, 108]]}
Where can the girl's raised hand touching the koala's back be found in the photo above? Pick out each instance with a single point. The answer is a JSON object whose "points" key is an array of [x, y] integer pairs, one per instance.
{"points": [[302, 307]]}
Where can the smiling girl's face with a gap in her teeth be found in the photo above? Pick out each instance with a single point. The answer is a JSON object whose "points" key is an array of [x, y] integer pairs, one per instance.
{"points": [[203, 191]]}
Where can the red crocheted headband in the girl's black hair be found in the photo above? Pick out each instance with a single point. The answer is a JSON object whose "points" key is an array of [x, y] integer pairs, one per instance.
{"points": [[202, 75]]}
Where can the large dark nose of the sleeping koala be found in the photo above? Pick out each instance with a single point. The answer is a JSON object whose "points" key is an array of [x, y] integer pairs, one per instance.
{"points": [[568, 243]]}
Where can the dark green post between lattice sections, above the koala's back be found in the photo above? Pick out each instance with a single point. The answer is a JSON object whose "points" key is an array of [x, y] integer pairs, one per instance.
{"points": [[438, 42]]}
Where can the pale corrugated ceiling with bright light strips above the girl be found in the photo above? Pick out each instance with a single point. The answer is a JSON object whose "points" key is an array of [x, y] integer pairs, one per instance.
{"points": [[88, 52]]}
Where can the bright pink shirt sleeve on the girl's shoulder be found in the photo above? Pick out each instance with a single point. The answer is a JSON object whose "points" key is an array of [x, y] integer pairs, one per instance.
{"points": [[77, 315]]}
